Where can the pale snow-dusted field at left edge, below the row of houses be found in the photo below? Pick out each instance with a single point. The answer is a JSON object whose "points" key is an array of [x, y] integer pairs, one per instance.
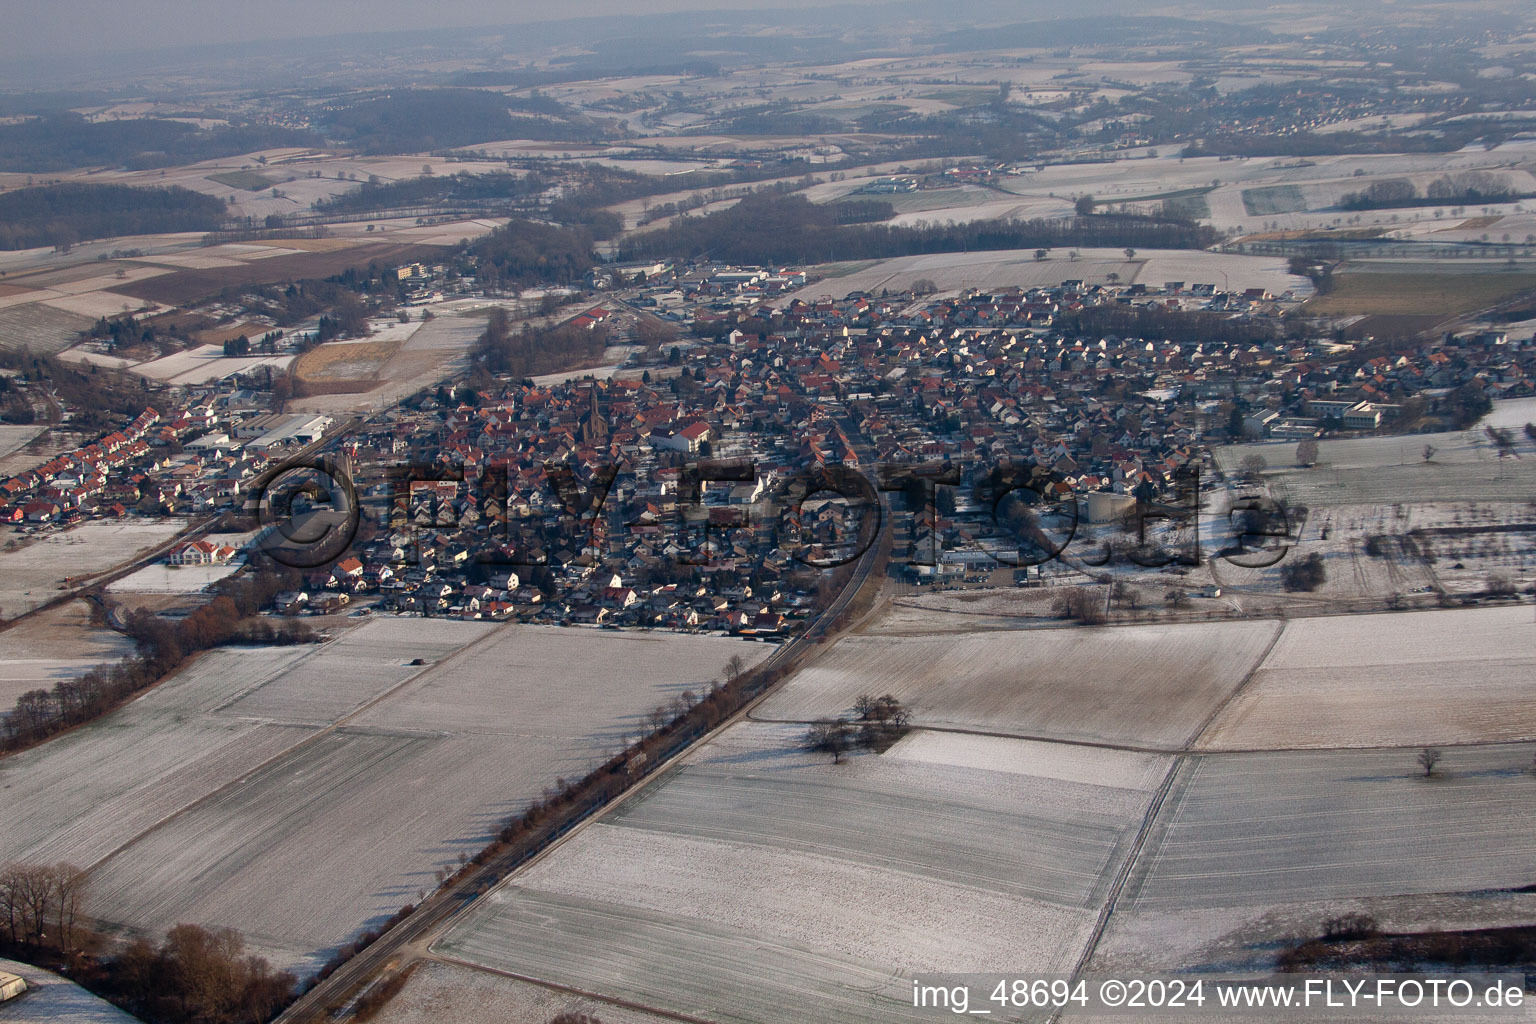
{"points": [[33, 575]]}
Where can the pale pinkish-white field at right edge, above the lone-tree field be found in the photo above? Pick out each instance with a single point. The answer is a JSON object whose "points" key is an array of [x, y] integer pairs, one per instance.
{"points": [[1449, 676]]}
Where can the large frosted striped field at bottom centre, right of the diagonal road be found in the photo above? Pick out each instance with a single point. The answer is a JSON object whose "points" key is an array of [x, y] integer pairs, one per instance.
{"points": [[764, 884]]}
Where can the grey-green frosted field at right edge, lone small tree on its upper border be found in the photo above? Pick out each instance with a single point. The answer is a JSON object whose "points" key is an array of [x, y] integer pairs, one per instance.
{"points": [[1242, 830]]}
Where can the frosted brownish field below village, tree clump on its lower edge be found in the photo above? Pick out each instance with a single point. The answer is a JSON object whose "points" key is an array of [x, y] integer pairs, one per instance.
{"points": [[1079, 684]]}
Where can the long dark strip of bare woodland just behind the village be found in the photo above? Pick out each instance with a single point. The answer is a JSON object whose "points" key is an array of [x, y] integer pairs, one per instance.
{"points": [[792, 230]]}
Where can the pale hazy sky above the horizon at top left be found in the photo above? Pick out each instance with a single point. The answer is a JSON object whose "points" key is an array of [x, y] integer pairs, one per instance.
{"points": [[36, 28]]}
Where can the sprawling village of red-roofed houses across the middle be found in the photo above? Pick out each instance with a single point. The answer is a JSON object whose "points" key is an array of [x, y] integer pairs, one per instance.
{"points": [[463, 518]]}
